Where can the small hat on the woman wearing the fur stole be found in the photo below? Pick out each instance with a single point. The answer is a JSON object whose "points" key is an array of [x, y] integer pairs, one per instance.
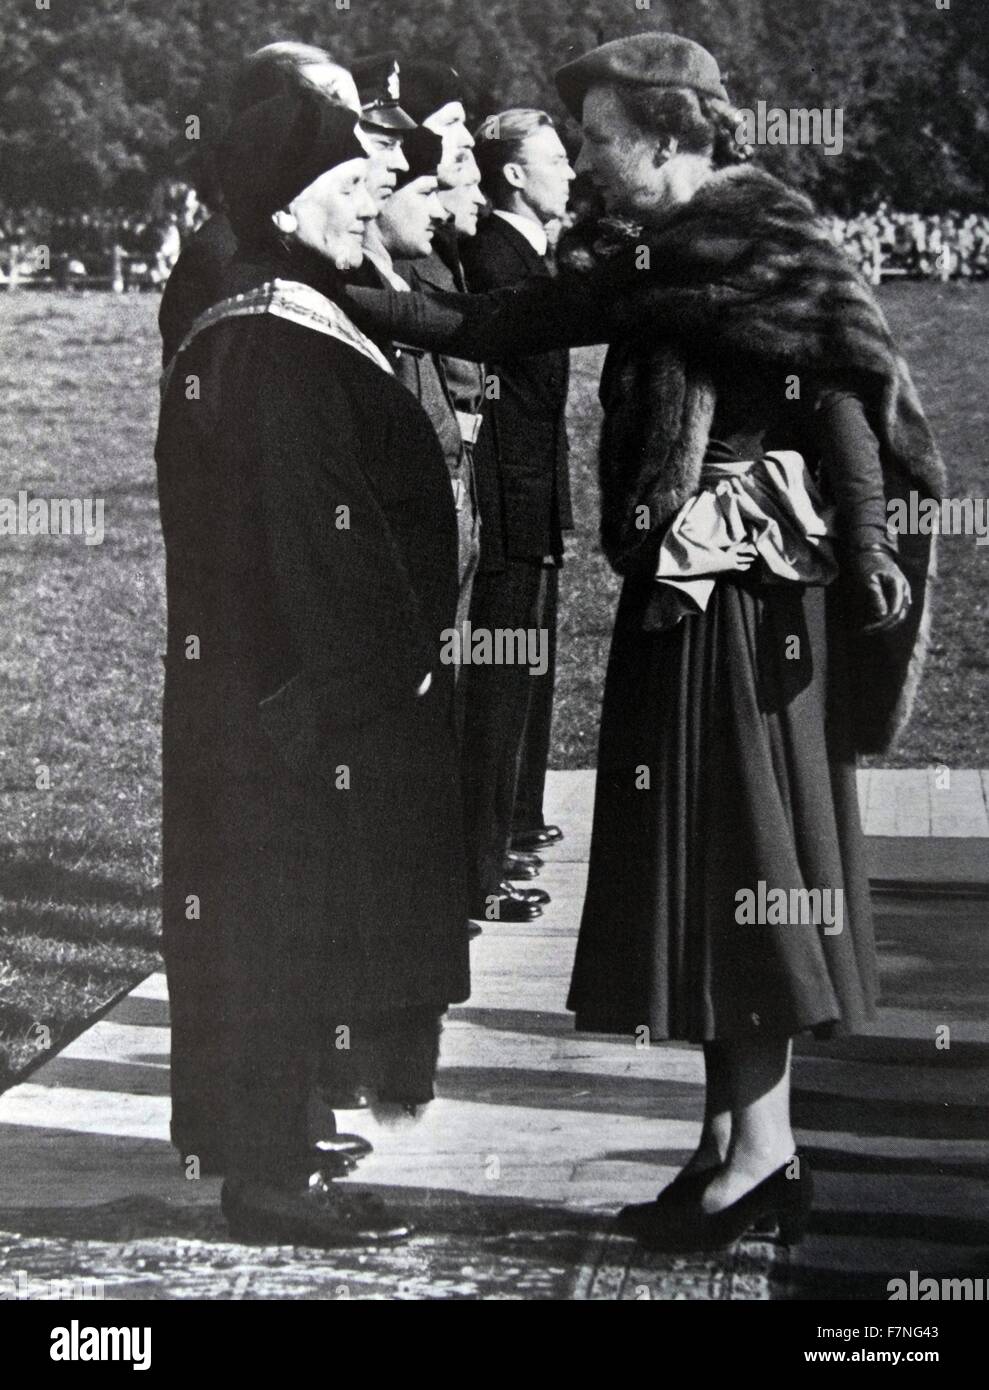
{"points": [[648, 60]]}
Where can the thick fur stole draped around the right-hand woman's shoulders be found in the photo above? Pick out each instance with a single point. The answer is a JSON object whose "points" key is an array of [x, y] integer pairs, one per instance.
{"points": [[747, 272]]}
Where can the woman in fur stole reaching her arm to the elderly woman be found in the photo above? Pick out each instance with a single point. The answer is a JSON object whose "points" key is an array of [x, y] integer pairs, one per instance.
{"points": [[758, 419]]}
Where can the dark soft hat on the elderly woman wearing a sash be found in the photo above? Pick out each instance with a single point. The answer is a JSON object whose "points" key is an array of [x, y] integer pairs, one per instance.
{"points": [[276, 149]]}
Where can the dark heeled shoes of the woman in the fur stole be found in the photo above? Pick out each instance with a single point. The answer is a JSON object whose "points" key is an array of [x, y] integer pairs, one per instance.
{"points": [[779, 1200]]}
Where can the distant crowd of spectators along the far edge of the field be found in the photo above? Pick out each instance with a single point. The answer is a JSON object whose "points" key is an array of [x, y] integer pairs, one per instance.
{"points": [[138, 250]]}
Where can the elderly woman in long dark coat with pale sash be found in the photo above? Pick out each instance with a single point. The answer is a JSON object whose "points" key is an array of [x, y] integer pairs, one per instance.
{"points": [[313, 856]]}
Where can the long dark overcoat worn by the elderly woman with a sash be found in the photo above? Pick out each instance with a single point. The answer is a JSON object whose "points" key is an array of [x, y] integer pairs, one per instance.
{"points": [[312, 812]]}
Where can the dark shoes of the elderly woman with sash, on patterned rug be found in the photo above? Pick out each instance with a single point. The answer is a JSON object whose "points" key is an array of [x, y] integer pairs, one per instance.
{"points": [[310, 1213]]}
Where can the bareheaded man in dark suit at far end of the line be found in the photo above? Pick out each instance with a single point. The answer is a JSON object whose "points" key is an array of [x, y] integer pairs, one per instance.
{"points": [[524, 502]]}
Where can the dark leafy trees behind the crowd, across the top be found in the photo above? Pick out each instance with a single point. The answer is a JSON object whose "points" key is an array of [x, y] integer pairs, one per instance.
{"points": [[97, 95]]}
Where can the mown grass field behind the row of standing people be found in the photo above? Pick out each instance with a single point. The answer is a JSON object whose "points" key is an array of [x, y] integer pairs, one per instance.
{"points": [[84, 630]]}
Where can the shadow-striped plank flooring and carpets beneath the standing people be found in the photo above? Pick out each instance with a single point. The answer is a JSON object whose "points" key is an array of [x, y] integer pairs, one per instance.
{"points": [[540, 1135]]}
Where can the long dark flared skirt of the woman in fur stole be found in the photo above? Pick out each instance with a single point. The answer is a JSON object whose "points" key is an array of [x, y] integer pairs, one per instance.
{"points": [[726, 761]]}
